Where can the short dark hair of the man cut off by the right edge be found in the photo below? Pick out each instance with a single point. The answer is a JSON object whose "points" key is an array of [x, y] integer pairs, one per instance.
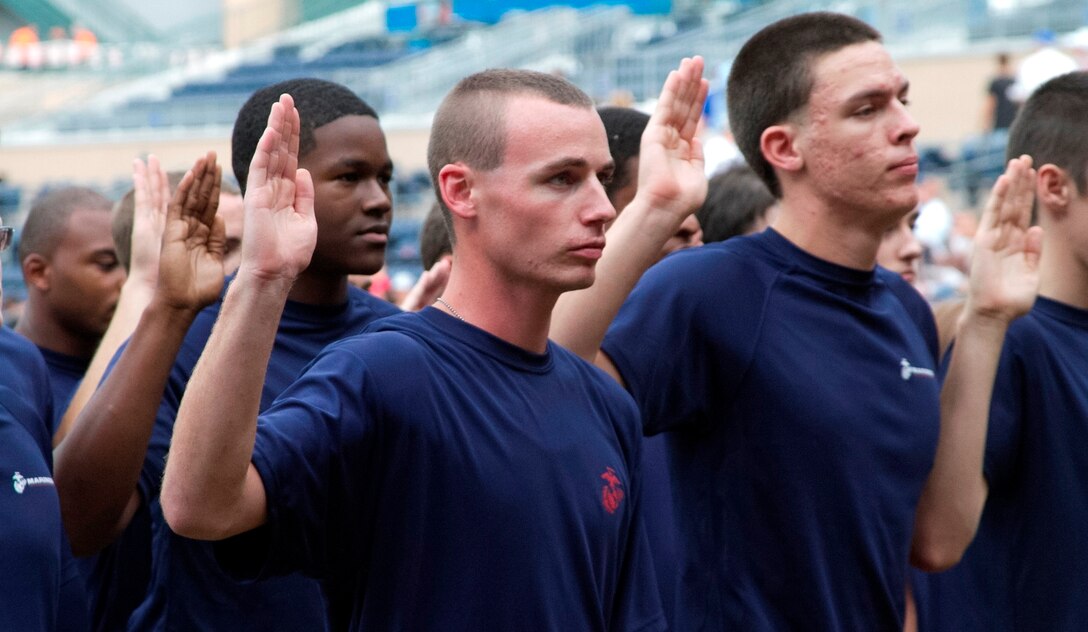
{"points": [[1052, 128]]}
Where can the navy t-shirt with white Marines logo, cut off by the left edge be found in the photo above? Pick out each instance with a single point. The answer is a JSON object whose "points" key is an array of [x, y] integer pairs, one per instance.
{"points": [[30, 511]]}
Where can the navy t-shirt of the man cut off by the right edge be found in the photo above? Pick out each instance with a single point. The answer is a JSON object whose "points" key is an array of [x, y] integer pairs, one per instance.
{"points": [[1029, 564]]}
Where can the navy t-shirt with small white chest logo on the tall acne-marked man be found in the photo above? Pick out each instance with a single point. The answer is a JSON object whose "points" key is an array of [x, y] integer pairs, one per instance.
{"points": [[806, 412]]}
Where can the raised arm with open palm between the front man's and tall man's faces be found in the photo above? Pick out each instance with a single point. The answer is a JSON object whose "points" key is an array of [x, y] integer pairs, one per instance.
{"points": [[672, 185]]}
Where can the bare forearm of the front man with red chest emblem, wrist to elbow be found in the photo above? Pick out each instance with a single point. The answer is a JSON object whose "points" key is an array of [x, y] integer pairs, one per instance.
{"points": [[206, 478]]}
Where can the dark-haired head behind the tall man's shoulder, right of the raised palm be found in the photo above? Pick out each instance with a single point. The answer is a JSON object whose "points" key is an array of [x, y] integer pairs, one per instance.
{"points": [[737, 204]]}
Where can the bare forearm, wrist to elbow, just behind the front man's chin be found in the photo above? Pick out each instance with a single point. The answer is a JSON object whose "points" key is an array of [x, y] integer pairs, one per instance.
{"points": [[635, 242]]}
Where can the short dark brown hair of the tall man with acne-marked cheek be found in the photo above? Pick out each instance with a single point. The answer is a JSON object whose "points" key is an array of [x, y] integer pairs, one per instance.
{"points": [[772, 78]]}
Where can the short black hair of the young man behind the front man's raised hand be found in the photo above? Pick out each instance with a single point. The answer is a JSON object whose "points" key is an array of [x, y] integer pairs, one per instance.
{"points": [[318, 102]]}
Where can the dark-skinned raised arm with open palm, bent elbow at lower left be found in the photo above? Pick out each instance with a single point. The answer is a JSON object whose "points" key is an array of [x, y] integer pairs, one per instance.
{"points": [[98, 464]]}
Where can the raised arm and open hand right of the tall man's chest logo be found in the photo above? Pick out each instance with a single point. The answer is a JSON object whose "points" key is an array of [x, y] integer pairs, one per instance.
{"points": [[1005, 281]]}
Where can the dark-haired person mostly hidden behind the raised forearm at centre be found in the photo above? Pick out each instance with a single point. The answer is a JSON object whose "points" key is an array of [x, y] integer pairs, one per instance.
{"points": [[625, 128]]}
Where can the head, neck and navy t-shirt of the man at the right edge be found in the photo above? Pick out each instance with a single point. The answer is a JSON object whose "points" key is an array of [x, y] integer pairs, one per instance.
{"points": [[1028, 566]]}
